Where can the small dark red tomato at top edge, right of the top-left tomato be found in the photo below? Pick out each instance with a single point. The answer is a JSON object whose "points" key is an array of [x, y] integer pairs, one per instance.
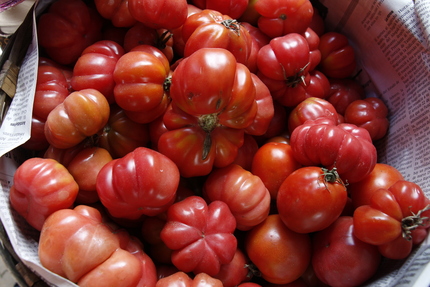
{"points": [[116, 11]]}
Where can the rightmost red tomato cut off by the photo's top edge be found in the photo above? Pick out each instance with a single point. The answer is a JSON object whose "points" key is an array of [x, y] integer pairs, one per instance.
{"points": [[281, 17]]}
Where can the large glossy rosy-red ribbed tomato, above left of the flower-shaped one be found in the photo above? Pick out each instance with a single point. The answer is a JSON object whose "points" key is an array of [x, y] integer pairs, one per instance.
{"points": [[144, 180]]}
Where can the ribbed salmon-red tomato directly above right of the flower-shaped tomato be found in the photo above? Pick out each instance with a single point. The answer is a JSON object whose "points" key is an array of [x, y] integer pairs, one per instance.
{"points": [[243, 192]]}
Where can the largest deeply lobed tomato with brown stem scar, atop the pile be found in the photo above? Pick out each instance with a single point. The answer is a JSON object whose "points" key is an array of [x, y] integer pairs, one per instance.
{"points": [[213, 102]]}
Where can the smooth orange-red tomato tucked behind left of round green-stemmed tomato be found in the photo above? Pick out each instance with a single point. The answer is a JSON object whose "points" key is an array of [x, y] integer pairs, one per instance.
{"points": [[273, 162]]}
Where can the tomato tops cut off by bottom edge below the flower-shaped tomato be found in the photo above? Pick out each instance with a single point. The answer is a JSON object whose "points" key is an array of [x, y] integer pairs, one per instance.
{"points": [[201, 280]]}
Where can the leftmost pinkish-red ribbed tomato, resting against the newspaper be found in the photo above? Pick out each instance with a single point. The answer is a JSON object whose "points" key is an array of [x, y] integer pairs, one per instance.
{"points": [[41, 187]]}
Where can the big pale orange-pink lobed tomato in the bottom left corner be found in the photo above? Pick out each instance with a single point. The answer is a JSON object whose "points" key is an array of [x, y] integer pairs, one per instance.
{"points": [[78, 245]]}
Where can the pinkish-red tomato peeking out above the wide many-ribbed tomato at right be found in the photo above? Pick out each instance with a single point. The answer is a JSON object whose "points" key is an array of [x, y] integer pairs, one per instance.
{"points": [[311, 109]]}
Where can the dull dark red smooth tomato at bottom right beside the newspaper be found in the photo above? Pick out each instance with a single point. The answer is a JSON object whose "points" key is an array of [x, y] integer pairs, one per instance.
{"points": [[341, 259]]}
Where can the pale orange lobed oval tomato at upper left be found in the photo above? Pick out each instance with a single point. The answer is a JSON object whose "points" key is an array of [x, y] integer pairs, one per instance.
{"points": [[82, 114]]}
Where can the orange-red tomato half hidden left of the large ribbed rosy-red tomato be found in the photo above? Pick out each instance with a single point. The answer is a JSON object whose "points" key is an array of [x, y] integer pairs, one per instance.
{"points": [[84, 168]]}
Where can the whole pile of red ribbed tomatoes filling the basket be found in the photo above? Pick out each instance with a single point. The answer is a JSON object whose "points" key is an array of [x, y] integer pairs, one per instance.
{"points": [[219, 142]]}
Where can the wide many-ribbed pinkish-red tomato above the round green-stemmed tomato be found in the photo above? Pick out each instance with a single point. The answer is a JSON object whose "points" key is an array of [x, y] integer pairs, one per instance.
{"points": [[346, 147]]}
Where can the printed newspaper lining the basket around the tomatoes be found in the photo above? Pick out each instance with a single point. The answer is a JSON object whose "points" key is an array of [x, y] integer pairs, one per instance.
{"points": [[391, 39]]}
